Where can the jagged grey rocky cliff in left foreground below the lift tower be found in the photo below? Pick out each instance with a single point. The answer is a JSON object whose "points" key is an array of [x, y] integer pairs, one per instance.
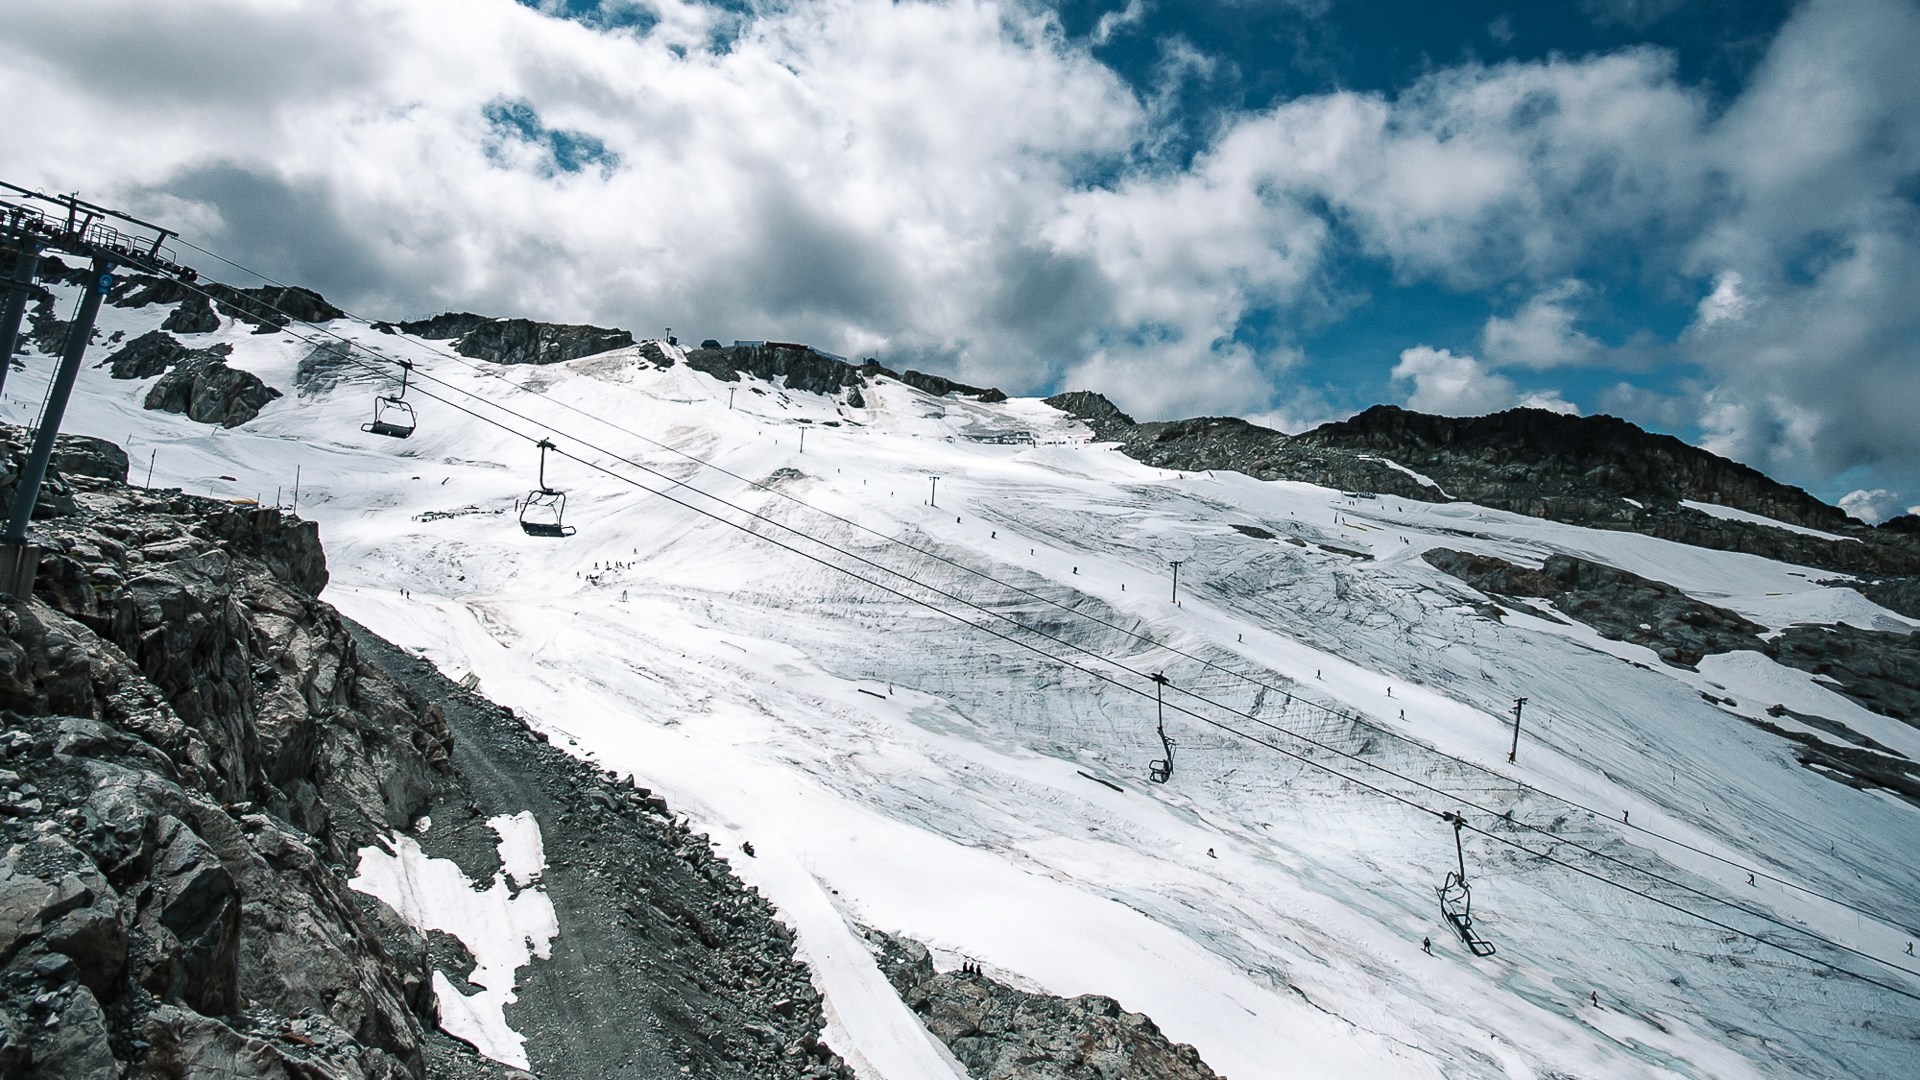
{"points": [[191, 752]]}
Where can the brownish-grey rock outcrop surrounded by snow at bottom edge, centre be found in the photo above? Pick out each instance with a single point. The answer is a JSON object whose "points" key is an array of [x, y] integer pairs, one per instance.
{"points": [[1003, 1033]]}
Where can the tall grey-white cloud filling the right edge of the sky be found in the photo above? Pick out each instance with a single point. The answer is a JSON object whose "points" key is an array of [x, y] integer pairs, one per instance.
{"points": [[1813, 372]]}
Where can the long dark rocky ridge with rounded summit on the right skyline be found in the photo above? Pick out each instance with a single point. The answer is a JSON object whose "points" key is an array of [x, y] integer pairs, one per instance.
{"points": [[1596, 472]]}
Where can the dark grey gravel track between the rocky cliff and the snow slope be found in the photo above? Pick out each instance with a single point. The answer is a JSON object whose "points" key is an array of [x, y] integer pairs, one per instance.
{"points": [[665, 964]]}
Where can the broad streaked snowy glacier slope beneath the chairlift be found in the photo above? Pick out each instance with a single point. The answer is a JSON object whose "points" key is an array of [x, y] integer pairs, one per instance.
{"points": [[938, 720]]}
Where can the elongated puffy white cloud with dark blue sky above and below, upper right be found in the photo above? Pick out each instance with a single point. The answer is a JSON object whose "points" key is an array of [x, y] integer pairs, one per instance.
{"points": [[1485, 174]]}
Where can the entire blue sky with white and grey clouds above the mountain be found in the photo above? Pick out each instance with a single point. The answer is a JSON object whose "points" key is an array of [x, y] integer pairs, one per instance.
{"points": [[1702, 216]]}
